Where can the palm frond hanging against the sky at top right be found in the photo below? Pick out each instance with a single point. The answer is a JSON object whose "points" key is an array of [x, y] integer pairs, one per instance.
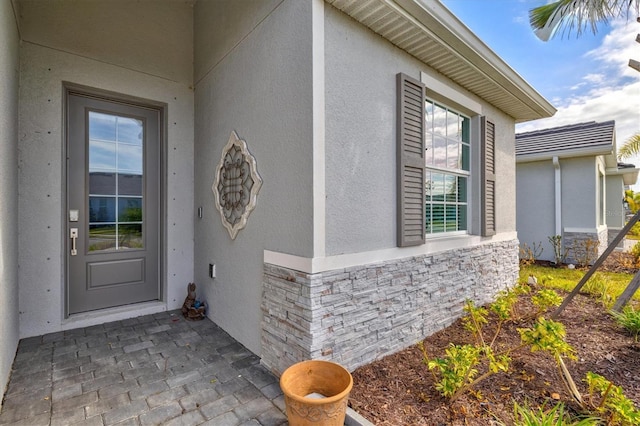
{"points": [[567, 15]]}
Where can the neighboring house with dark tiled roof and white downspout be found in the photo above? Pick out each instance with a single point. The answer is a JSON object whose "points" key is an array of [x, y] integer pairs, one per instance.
{"points": [[569, 183]]}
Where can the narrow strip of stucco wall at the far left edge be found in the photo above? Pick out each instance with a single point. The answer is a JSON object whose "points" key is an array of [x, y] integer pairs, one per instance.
{"points": [[9, 66]]}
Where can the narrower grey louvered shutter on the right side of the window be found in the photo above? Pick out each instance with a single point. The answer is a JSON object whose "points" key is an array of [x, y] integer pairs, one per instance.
{"points": [[488, 177]]}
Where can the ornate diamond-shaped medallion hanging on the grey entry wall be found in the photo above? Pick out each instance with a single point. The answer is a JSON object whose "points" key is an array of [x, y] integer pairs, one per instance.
{"points": [[236, 185]]}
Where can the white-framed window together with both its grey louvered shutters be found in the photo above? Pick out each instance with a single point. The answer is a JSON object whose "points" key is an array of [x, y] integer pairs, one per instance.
{"points": [[434, 171]]}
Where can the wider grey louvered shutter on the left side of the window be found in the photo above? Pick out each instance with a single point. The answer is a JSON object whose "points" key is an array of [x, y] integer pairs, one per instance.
{"points": [[410, 162]]}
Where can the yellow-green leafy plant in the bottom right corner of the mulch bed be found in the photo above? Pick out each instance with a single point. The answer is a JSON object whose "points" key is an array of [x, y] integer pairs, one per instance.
{"points": [[613, 406]]}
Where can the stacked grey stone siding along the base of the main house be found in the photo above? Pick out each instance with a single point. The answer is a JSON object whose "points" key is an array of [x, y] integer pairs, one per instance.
{"points": [[358, 314]]}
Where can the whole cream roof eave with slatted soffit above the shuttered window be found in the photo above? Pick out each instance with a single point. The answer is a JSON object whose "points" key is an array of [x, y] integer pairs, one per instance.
{"points": [[430, 32]]}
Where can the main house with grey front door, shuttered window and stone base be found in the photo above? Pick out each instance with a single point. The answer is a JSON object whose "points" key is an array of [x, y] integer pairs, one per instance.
{"points": [[334, 260]]}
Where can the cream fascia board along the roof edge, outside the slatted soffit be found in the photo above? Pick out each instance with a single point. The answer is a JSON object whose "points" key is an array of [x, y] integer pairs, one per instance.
{"points": [[443, 25]]}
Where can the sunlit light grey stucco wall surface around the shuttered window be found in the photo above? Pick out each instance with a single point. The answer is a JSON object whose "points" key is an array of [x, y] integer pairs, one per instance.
{"points": [[360, 110]]}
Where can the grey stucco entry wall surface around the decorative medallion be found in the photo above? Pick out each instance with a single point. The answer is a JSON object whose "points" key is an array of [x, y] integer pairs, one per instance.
{"points": [[260, 88]]}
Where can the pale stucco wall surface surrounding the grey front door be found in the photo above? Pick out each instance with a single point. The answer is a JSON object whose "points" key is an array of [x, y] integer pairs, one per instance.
{"points": [[42, 187]]}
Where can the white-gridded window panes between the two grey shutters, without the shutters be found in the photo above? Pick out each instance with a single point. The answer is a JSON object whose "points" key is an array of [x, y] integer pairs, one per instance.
{"points": [[447, 158]]}
